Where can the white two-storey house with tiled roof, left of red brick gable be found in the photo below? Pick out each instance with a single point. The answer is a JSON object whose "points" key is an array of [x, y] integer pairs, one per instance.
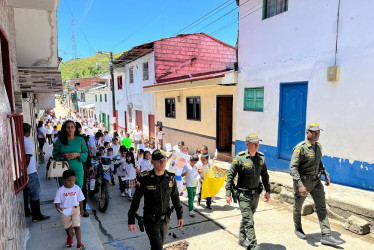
{"points": [[133, 70]]}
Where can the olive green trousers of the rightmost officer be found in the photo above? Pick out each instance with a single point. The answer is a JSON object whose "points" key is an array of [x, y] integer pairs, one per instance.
{"points": [[316, 190]]}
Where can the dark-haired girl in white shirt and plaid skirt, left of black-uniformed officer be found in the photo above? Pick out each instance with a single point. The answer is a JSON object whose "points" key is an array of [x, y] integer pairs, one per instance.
{"points": [[129, 174]]}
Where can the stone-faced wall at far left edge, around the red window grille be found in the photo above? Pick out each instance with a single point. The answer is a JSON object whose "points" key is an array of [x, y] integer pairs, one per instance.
{"points": [[12, 222]]}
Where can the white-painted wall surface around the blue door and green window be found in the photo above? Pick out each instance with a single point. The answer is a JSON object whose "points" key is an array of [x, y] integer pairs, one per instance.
{"points": [[299, 45]]}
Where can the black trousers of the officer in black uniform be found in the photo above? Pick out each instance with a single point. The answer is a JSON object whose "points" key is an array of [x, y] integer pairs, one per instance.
{"points": [[156, 231]]}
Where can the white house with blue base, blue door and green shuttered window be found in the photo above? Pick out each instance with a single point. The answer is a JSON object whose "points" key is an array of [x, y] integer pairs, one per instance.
{"points": [[285, 49]]}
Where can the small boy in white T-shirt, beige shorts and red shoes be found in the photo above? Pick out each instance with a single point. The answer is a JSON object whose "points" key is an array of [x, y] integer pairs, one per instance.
{"points": [[68, 202]]}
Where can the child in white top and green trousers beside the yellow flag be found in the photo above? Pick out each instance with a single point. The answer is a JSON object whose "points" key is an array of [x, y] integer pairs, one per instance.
{"points": [[192, 178]]}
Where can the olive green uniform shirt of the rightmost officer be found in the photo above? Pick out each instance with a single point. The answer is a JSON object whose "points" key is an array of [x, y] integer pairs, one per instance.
{"points": [[306, 160]]}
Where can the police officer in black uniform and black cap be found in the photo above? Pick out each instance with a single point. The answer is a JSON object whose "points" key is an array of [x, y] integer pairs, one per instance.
{"points": [[157, 186]]}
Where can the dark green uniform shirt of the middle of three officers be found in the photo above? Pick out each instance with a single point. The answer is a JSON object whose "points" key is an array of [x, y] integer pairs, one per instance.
{"points": [[249, 170]]}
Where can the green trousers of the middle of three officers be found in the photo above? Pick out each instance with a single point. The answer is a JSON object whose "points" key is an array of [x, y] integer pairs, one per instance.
{"points": [[248, 204]]}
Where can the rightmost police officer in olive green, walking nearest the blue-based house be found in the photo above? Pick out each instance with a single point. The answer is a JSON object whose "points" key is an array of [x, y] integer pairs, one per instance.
{"points": [[306, 169]]}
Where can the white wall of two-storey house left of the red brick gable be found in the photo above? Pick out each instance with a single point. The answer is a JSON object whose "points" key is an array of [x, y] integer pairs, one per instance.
{"points": [[132, 93]]}
